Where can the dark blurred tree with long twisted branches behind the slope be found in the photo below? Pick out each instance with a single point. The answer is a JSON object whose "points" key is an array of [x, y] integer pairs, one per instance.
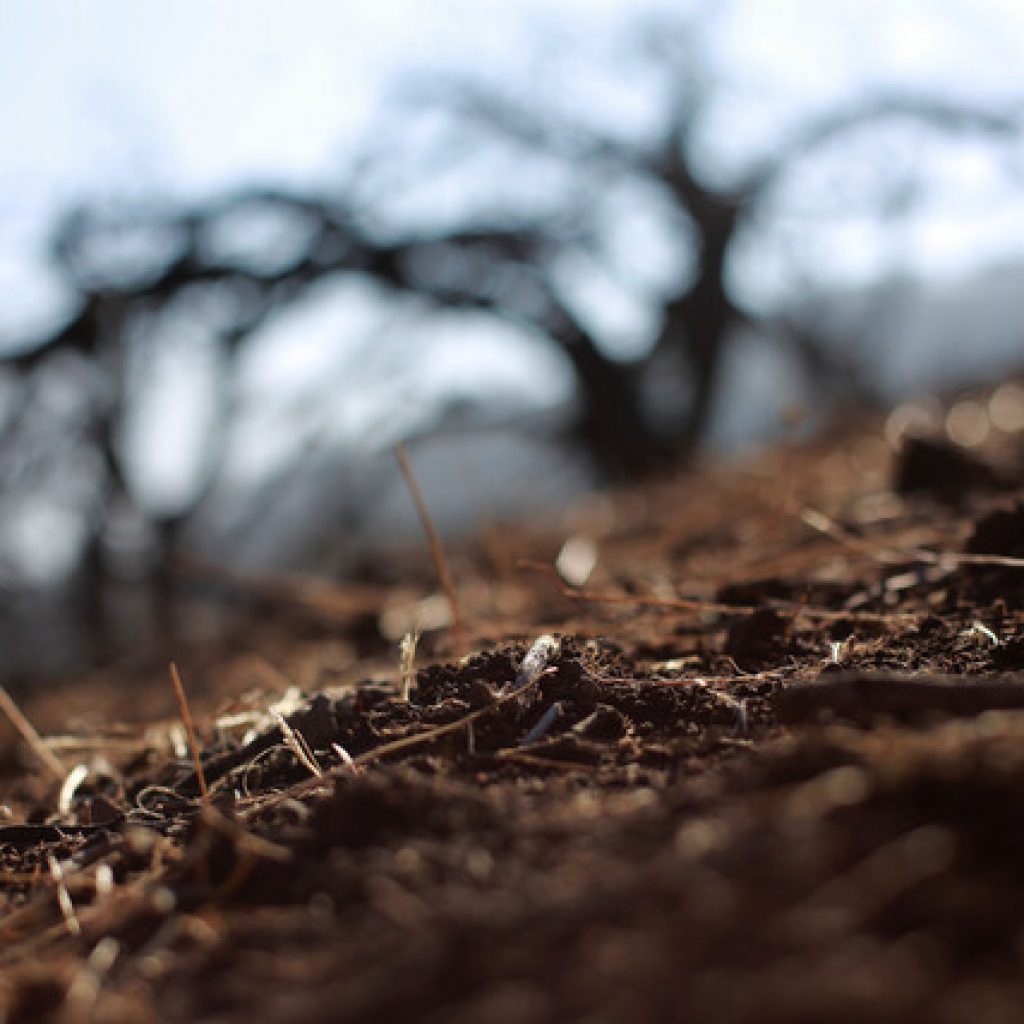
{"points": [[143, 280]]}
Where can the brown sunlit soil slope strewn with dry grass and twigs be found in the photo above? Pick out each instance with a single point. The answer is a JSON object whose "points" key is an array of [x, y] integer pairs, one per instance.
{"points": [[765, 765]]}
